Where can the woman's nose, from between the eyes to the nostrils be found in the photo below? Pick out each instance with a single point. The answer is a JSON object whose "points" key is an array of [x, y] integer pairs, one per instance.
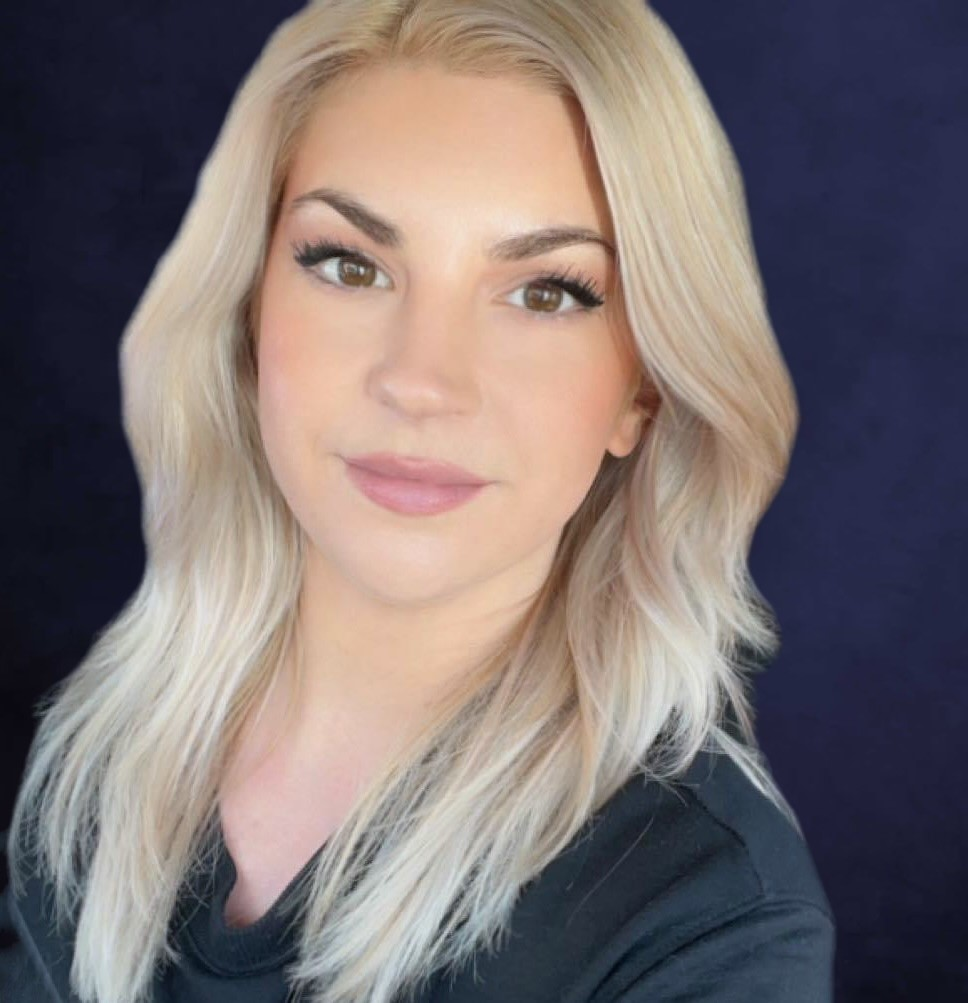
{"points": [[428, 363]]}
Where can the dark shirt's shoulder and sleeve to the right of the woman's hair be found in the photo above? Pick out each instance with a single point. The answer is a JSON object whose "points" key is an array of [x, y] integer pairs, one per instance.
{"points": [[696, 890]]}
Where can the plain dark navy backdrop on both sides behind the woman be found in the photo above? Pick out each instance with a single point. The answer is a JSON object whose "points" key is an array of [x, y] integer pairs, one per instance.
{"points": [[850, 125]]}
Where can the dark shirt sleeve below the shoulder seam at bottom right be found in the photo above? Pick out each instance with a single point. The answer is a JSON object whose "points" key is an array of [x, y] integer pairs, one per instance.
{"points": [[778, 952]]}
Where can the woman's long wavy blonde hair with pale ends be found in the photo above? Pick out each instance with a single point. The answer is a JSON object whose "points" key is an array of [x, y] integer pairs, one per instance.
{"points": [[636, 654]]}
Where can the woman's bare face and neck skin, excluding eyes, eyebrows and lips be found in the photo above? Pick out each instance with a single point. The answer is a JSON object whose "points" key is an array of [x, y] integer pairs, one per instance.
{"points": [[440, 358]]}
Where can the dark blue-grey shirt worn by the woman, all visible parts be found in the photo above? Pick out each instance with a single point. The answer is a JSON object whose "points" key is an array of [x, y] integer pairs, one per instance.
{"points": [[688, 893]]}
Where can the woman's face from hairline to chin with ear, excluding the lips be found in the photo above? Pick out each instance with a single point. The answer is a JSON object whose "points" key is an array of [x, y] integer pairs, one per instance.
{"points": [[431, 346]]}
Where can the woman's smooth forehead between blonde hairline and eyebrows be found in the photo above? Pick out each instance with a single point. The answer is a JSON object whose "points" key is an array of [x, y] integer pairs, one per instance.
{"points": [[494, 154]]}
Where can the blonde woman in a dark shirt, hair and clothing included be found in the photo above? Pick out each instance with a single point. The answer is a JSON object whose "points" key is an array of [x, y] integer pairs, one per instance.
{"points": [[456, 406]]}
